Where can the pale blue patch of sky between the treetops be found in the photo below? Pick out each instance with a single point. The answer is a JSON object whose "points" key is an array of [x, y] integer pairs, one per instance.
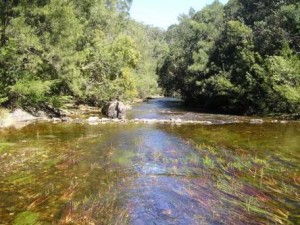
{"points": [[163, 13]]}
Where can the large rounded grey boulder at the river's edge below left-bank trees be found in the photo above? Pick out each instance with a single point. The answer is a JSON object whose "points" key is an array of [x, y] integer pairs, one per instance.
{"points": [[115, 109]]}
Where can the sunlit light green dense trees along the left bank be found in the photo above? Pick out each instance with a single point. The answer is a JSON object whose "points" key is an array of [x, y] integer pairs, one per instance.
{"points": [[89, 51]]}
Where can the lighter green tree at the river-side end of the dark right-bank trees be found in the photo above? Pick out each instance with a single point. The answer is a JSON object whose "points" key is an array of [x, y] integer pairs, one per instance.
{"points": [[190, 45]]}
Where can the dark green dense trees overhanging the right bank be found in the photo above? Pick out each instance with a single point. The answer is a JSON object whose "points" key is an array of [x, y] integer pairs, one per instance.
{"points": [[239, 58]]}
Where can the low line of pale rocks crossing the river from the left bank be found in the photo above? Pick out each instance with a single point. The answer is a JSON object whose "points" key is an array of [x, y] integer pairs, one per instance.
{"points": [[19, 119]]}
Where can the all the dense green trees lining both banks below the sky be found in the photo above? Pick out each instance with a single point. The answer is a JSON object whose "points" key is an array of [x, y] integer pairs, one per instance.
{"points": [[239, 58]]}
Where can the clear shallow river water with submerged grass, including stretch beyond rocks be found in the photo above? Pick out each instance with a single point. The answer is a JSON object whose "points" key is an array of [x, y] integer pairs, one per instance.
{"points": [[229, 172]]}
